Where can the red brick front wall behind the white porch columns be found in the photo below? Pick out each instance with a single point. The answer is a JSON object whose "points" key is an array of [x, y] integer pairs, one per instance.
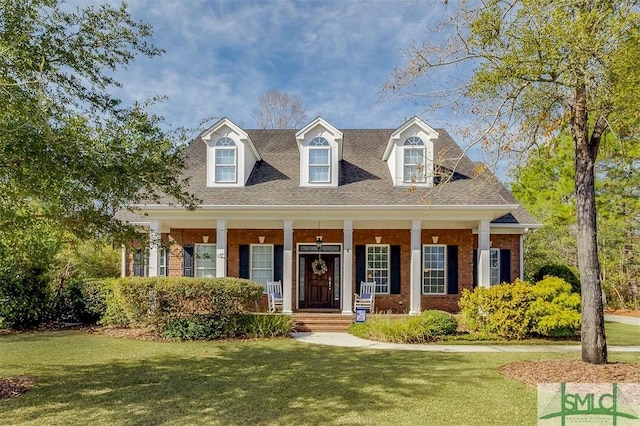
{"points": [[396, 303]]}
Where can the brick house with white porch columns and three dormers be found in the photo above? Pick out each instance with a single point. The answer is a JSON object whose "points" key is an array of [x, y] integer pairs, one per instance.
{"points": [[322, 209]]}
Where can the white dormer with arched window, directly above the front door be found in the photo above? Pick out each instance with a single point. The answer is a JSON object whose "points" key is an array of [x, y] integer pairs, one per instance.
{"points": [[320, 147]]}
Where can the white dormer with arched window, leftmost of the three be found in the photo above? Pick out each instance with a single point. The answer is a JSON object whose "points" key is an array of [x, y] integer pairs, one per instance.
{"points": [[231, 155]]}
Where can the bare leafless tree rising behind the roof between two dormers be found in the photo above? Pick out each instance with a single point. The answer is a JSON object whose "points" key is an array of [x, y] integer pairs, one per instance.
{"points": [[279, 110]]}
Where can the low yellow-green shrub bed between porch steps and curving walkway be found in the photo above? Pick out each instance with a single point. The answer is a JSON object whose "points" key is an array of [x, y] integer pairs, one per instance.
{"points": [[426, 327]]}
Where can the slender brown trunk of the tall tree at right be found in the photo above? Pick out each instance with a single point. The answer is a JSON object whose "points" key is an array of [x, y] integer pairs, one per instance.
{"points": [[594, 345]]}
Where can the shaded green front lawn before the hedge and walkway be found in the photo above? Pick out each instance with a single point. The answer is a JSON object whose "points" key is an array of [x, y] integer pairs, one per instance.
{"points": [[92, 379]]}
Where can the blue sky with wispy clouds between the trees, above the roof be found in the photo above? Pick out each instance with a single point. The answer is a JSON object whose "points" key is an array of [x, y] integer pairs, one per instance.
{"points": [[221, 56]]}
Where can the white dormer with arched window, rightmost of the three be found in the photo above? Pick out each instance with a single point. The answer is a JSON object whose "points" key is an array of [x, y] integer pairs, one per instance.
{"points": [[409, 154]]}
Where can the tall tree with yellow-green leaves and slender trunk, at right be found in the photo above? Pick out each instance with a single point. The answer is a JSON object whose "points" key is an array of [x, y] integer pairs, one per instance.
{"points": [[538, 67]]}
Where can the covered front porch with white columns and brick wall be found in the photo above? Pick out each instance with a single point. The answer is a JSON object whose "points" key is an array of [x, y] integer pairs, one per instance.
{"points": [[368, 245]]}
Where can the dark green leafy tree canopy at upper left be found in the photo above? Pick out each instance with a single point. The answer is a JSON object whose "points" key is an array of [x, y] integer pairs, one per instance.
{"points": [[71, 153]]}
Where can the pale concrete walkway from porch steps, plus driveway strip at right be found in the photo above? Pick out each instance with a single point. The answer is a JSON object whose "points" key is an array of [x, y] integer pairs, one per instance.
{"points": [[348, 340]]}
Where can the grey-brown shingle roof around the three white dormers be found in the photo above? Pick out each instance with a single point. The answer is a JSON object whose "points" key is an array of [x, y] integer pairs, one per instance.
{"points": [[365, 179]]}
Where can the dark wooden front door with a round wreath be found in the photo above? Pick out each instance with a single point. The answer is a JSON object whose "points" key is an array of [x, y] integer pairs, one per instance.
{"points": [[319, 278]]}
